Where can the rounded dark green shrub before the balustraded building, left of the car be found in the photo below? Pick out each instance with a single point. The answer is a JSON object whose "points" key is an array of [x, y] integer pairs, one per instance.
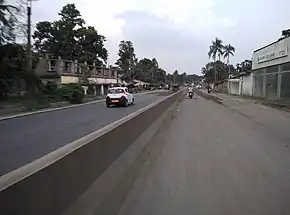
{"points": [[73, 93]]}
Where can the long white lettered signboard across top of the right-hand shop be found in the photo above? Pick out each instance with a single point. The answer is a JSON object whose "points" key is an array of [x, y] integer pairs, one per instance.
{"points": [[277, 53]]}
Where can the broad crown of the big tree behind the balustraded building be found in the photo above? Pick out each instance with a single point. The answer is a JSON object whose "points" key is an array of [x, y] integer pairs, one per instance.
{"points": [[68, 38]]}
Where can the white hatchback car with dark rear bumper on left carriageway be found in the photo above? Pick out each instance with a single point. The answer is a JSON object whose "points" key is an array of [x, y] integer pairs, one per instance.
{"points": [[119, 96]]}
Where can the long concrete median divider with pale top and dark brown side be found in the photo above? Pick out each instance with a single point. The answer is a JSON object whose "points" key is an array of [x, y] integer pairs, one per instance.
{"points": [[51, 184]]}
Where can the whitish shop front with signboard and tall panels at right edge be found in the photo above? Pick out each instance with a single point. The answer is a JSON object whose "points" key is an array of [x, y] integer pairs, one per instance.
{"points": [[271, 71]]}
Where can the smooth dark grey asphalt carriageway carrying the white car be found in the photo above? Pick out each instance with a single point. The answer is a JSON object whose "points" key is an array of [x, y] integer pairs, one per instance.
{"points": [[25, 139]]}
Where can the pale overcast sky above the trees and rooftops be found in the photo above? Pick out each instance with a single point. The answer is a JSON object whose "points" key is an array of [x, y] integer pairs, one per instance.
{"points": [[178, 33]]}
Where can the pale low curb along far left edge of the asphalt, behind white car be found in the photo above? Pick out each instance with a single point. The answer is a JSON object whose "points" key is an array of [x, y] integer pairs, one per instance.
{"points": [[56, 109]]}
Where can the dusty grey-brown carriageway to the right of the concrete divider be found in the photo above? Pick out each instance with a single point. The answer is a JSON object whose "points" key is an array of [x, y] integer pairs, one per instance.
{"points": [[216, 160]]}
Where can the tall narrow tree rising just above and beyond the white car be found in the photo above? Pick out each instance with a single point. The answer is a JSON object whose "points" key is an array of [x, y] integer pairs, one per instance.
{"points": [[127, 58]]}
